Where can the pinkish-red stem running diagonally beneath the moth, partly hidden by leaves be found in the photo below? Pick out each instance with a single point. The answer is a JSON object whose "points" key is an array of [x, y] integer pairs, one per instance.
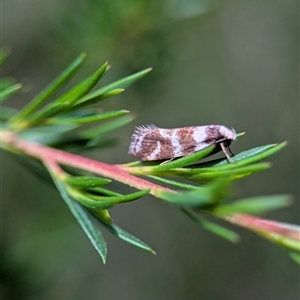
{"points": [[52, 157]]}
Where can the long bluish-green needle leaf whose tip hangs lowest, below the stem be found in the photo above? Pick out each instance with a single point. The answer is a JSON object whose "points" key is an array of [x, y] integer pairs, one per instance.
{"points": [[82, 217]]}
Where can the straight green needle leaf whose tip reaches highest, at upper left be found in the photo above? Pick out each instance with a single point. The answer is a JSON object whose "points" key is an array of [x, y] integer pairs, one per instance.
{"points": [[45, 94]]}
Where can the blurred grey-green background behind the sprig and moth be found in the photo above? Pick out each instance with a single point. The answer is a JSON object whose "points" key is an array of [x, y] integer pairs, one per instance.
{"points": [[229, 62]]}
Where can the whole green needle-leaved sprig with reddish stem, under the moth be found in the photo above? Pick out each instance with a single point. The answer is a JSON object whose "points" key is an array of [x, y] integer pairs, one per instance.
{"points": [[195, 188]]}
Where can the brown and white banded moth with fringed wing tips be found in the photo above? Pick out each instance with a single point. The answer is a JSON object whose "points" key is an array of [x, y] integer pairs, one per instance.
{"points": [[150, 142]]}
